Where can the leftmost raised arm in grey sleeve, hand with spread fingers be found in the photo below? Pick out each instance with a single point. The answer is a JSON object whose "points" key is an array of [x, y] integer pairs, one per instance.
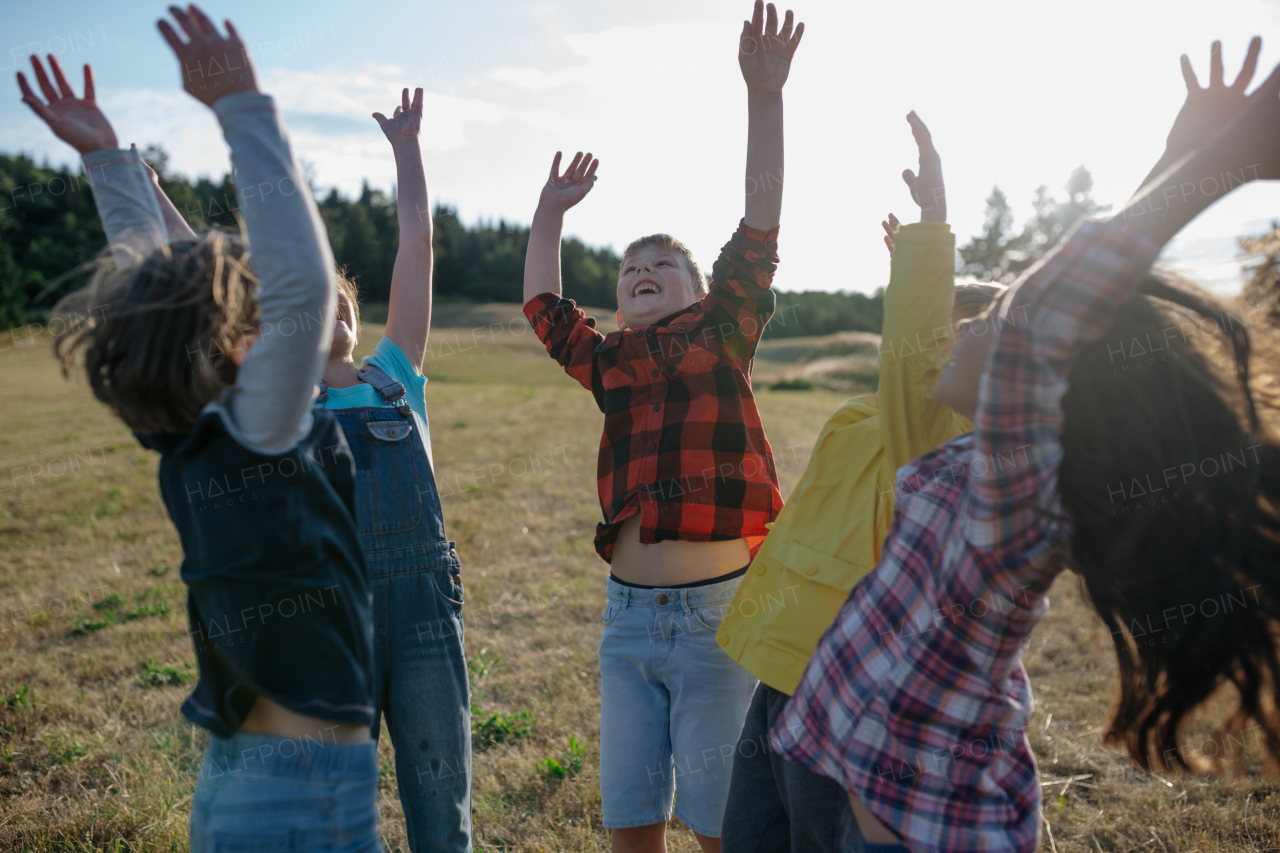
{"points": [[127, 208]]}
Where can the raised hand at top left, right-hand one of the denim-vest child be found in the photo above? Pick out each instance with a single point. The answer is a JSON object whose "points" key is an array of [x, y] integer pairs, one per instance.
{"points": [[212, 66]]}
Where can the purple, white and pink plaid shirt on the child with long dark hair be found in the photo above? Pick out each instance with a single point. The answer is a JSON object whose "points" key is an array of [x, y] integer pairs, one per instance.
{"points": [[917, 699]]}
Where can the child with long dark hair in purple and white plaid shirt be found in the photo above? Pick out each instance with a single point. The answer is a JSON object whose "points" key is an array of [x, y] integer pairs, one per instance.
{"points": [[917, 701]]}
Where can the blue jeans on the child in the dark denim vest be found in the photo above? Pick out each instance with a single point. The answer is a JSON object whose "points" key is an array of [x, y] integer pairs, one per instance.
{"points": [[260, 793]]}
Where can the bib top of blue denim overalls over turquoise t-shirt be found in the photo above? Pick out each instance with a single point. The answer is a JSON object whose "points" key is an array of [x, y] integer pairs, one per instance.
{"points": [[397, 504]]}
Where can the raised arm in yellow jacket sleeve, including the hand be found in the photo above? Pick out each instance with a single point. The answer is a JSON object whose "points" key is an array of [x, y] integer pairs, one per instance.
{"points": [[918, 304]]}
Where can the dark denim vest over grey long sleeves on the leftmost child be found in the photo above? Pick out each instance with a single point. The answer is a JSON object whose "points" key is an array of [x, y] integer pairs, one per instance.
{"points": [[277, 589]]}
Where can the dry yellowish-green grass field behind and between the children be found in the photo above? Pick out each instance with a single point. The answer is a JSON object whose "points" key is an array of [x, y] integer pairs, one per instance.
{"points": [[95, 658]]}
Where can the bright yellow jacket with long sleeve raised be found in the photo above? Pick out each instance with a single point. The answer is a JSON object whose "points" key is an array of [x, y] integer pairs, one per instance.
{"points": [[834, 526]]}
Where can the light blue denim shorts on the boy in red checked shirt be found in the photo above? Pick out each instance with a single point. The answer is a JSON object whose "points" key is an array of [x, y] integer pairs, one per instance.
{"points": [[673, 705]]}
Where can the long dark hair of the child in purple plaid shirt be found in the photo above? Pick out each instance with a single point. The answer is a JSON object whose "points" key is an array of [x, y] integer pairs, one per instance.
{"points": [[1173, 486]]}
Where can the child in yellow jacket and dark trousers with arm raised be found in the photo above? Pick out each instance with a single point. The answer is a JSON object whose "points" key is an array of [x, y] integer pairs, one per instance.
{"points": [[831, 531]]}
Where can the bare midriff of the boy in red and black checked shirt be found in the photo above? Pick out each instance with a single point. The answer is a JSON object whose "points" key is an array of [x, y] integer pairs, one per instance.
{"points": [[673, 563]]}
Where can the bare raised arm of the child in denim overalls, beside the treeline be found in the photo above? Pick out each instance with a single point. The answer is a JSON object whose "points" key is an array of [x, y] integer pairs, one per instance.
{"points": [[409, 317]]}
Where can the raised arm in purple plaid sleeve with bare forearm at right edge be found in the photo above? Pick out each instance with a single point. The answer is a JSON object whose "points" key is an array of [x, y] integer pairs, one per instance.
{"points": [[1071, 300]]}
